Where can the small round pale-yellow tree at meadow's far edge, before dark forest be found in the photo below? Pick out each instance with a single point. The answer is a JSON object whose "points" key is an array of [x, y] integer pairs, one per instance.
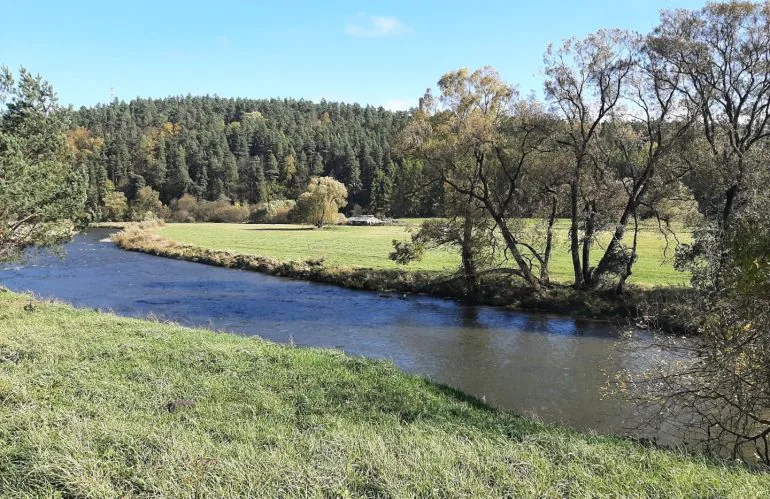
{"points": [[321, 202]]}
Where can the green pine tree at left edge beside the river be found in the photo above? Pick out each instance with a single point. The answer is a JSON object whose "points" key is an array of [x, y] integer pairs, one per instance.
{"points": [[43, 190]]}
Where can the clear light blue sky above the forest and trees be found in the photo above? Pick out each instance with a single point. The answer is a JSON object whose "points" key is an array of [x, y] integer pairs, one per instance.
{"points": [[380, 53]]}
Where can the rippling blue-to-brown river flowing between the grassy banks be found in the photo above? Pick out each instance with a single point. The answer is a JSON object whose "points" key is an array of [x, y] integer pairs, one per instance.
{"points": [[551, 367]]}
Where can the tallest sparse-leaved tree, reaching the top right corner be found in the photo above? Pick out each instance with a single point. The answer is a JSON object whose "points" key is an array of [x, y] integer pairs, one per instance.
{"points": [[721, 57]]}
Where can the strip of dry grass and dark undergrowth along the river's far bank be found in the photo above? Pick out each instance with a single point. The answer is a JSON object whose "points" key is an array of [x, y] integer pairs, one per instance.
{"points": [[658, 306]]}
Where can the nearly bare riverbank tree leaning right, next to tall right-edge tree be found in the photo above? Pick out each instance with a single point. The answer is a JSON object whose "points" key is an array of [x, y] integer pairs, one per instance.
{"points": [[645, 152]]}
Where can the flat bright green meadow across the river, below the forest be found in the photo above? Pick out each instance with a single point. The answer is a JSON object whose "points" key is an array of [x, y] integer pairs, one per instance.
{"points": [[369, 247]]}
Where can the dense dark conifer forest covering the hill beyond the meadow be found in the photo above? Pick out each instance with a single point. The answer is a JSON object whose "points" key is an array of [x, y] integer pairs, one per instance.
{"points": [[245, 151]]}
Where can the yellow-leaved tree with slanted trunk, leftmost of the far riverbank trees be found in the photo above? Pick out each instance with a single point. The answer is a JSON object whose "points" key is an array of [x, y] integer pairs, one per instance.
{"points": [[480, 143]]}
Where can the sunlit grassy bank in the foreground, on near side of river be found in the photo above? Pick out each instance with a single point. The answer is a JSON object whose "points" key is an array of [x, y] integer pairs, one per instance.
{"points": [[83, 413]]}
